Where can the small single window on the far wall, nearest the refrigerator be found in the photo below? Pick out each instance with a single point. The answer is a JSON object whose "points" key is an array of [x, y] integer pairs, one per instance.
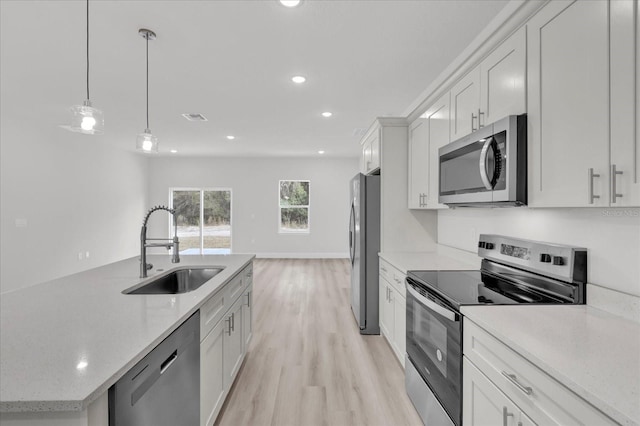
{"points": [[294, 206]]}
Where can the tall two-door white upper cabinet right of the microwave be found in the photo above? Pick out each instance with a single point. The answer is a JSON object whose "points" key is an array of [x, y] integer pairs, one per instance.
{"points": [[583, 111]]}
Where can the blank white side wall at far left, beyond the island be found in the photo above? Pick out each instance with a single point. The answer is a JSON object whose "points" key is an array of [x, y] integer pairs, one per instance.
{"points": [[76, 193]]}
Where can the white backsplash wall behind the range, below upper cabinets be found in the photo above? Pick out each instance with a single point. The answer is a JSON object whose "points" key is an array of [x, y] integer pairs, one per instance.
{"points": [[612, 236]]}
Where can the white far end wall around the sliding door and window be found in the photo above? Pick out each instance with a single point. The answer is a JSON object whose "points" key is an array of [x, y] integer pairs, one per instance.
{"points": [[254, 184]]}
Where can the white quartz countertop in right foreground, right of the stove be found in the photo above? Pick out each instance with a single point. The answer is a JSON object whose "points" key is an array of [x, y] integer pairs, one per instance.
{"points": [[592, 352]]}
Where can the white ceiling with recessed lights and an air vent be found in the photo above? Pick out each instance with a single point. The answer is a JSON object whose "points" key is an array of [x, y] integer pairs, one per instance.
{"points": [[232, 62]]}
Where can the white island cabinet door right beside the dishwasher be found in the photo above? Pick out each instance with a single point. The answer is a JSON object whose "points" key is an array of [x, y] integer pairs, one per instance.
{"points": [[212, 390]]}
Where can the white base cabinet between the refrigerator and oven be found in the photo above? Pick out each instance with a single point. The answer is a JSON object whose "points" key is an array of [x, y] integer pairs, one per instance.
{"points": [[393, 308]]}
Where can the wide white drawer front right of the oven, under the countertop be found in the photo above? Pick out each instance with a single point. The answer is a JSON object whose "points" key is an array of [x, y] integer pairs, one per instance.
{"points": [[536, 393]]}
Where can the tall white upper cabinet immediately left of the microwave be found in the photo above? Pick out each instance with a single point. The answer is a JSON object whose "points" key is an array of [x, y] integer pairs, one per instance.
{"points": [[427, 134]]}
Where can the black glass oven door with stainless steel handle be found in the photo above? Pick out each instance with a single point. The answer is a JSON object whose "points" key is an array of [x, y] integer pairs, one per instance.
{"points": [[434, 346]]}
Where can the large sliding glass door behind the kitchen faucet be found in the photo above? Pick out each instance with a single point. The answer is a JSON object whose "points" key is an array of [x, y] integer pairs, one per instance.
{"points": [[204, 220]]}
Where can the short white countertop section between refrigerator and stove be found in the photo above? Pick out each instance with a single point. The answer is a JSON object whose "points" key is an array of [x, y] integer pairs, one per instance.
{"points": [[441, 258]]}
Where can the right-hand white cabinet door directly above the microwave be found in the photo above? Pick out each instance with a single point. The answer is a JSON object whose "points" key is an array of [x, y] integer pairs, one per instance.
{"points": [[503, 79]]}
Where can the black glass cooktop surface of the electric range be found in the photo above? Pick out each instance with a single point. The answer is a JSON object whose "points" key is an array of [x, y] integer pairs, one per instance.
{"points": [[478, 288]]}
